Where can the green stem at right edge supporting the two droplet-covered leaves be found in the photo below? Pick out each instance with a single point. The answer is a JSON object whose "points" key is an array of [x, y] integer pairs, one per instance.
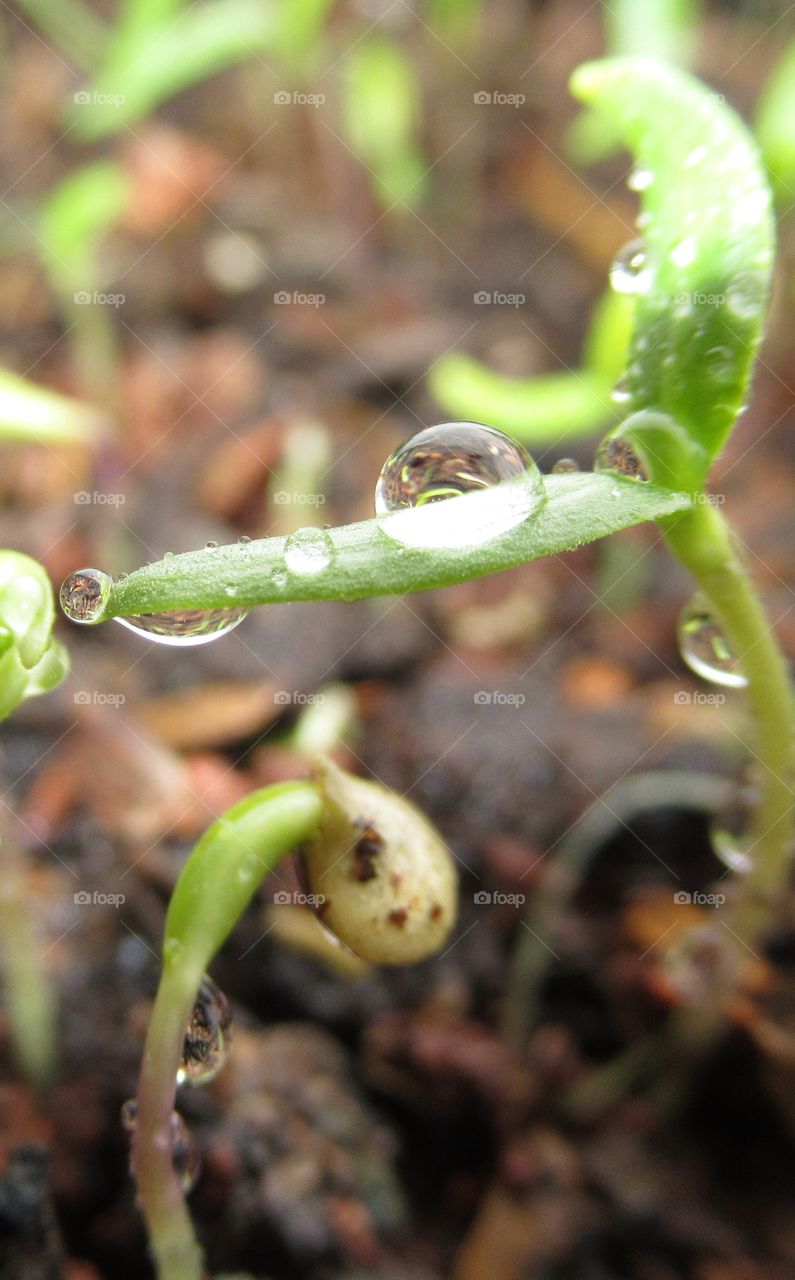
{"points": [[703, 542]]}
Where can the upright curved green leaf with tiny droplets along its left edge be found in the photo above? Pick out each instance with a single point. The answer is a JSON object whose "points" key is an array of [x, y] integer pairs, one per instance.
{"points": [[710, 244]]}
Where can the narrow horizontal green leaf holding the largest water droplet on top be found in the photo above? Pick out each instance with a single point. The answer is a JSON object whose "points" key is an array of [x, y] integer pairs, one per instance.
{"points": [[368, 563]]}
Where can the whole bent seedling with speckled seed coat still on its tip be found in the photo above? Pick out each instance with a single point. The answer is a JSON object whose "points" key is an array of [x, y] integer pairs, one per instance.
{"points": [[387, 888]]}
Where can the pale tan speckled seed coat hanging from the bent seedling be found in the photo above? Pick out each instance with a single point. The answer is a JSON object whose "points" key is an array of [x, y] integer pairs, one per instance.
{"points": [[387, 877]]}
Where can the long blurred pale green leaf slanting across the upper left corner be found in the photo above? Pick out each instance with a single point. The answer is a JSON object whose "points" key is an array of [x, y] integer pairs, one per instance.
{"points": [[198, 44]]}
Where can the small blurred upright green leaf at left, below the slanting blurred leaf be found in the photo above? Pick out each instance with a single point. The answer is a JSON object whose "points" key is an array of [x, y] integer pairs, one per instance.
{"points": [[75, 220]]}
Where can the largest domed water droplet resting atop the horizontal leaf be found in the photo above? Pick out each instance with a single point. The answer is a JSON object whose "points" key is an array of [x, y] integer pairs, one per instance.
{"points": [[495, 482]]}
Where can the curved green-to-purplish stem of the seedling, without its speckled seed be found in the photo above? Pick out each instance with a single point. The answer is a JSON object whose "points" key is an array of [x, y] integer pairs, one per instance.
{"points": [[216, 885]]}
